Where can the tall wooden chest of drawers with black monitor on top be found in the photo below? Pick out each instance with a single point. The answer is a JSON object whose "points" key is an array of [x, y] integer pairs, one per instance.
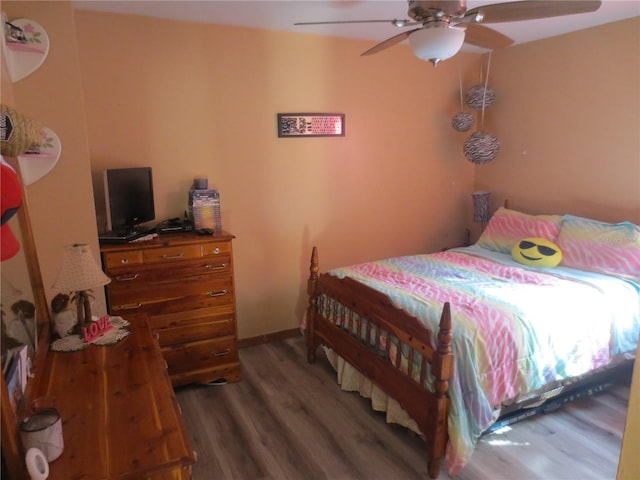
{"points": [[184, 283]]}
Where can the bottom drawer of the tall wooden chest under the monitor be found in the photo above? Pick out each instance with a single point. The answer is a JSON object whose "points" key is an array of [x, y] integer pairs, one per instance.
{"points": [[200, 355]]}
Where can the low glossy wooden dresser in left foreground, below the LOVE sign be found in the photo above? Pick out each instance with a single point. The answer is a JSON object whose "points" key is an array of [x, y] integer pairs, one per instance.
{"points": [[120, 417]]}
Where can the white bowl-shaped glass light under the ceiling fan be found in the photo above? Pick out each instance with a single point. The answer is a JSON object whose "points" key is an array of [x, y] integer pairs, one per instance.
{"points": [[436, 42]]}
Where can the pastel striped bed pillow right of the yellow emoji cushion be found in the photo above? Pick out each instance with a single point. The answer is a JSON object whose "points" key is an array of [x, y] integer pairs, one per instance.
{"points": [[611, 248]]}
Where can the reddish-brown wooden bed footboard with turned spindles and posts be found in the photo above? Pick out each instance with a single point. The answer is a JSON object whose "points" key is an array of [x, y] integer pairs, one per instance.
{"points": [[388, 346]]}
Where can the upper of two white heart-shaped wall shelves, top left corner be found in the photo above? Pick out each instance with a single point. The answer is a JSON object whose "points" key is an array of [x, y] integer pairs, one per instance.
{"points": [[25, 45]]}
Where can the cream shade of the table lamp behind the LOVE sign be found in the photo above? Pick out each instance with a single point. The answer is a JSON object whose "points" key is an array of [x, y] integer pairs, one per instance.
{"points": [[79, 270]]}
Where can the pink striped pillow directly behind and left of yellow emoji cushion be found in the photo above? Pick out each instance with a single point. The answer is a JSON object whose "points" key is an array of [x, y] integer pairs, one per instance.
{"points": [[507, 227]]}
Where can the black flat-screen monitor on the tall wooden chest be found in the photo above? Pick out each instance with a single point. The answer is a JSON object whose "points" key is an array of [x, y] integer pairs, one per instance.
{"points": [[128, 199]]}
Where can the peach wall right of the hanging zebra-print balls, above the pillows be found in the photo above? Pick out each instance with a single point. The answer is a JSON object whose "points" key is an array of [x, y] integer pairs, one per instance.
{"points": [[568, 114]]}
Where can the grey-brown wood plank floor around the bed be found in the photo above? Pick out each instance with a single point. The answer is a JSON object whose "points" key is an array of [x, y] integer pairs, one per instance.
{"points": [[290, 420]]}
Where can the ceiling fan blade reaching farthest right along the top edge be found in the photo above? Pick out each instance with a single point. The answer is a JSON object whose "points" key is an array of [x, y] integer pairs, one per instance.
{"points": [[532, 9]]}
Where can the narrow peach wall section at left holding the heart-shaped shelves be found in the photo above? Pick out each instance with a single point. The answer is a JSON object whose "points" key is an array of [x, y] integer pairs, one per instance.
{"points": [[60, 203]]}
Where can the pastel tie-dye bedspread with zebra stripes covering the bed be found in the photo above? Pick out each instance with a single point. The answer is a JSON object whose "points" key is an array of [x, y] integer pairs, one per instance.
{"points": [[516, 328]]}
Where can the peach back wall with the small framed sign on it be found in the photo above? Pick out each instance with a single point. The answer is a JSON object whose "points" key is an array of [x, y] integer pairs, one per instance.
{"points": [[191, 99]]}
